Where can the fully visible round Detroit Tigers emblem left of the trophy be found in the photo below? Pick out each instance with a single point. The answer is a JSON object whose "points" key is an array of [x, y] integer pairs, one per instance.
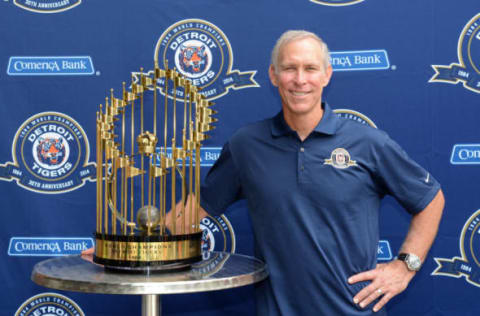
{"points": [[50, 154]]}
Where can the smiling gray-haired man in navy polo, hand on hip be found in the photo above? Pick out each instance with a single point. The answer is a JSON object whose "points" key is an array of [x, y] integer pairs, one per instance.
{"points": [[313, 182]]}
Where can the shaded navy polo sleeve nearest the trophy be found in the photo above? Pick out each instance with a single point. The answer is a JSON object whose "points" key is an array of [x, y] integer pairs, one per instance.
{"points": [[221, 186]]}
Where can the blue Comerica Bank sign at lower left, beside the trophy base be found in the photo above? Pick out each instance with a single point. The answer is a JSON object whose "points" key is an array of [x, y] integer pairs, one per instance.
{"points": [[47, 246]]}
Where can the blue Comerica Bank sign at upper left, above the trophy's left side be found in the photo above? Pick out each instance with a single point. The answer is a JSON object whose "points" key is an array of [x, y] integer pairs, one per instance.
{"points": [[50, 66]]}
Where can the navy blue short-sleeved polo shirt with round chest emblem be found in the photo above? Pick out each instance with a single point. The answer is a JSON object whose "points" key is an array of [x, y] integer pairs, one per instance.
{"points": [[314, 206]]}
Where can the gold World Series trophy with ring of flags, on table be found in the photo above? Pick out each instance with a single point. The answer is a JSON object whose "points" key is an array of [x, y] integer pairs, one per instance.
{"points": [[134, 175]]}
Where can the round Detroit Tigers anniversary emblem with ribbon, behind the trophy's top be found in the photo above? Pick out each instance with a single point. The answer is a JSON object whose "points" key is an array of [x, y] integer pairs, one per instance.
{"points": [[201, 52]]}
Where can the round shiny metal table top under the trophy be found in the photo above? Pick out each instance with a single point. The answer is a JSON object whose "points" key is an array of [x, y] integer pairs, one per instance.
{"points": [[218, 270]]}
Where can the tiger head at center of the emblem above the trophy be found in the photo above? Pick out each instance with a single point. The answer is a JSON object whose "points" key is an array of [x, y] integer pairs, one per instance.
{"points": [[193, 59]]}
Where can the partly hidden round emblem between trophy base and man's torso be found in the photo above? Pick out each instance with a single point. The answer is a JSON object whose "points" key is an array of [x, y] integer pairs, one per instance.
{"points": [[218, 235]]}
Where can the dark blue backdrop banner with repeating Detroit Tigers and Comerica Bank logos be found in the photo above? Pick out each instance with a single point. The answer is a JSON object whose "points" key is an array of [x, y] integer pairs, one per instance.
{"points": [[411, 68]]}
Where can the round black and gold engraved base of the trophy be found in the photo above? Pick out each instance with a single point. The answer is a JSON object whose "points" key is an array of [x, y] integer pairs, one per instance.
{"points": [[147, 254]]}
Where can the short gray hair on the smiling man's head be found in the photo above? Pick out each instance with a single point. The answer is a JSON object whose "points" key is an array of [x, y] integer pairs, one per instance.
{"points": [[294, 35]]}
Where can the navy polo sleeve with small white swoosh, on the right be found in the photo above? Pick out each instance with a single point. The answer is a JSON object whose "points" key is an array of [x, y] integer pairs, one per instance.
{"points": [[411, 185]]}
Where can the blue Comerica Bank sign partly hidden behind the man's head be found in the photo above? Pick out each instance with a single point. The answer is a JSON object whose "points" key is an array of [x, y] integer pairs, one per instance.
{"points": [[360, 60]]}
